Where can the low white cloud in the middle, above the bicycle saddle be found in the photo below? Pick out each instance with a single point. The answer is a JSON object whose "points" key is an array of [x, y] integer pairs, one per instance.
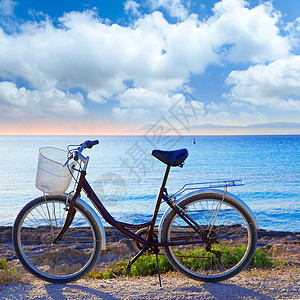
{"points": [[180, 110]]}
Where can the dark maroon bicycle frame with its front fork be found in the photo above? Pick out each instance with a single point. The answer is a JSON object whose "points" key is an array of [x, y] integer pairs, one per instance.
{"points": [[121, 226]]}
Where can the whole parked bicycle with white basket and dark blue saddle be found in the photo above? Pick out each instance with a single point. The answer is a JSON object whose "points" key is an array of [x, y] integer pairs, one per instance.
{"points": [[206, 233]]}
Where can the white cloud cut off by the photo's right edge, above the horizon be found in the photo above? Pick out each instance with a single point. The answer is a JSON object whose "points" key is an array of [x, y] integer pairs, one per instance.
{"points": [[276, 85]]}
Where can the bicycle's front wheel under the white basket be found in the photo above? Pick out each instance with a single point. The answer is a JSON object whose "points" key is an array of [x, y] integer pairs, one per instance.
{"points": [[69, 259]]}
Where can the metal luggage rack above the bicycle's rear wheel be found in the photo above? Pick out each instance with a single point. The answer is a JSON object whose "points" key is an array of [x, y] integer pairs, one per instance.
{"points": [[207, 185]]}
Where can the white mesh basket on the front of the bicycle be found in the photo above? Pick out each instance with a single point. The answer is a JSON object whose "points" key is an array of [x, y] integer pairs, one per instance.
{"points": [[52, 177]]}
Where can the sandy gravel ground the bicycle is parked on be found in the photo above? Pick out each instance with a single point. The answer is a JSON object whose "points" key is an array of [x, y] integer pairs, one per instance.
{"points": [[260, 285]]}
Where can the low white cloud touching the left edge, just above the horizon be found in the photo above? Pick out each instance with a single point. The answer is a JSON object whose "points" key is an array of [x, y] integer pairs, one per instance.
{"points": [[20, 102]]}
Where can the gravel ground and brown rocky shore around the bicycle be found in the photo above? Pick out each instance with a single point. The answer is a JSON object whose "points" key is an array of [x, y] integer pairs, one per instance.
{"points": [[280, 283]]}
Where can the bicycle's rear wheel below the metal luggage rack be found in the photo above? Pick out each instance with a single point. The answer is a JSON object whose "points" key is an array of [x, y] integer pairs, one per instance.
{"points": [[224, 244]]}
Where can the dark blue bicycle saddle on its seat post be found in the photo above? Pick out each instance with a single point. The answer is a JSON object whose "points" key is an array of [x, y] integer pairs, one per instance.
{"points": [[171, 158]]}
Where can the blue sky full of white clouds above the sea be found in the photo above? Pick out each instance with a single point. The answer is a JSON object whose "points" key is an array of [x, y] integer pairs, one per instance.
{"points": [[115, 67]]}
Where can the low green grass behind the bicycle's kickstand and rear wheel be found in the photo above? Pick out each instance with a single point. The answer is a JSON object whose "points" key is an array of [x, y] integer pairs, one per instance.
{"points": [[146, 265]]}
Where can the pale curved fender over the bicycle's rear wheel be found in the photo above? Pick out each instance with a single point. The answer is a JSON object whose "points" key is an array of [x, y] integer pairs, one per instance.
{"points": [[205, 191]]}
